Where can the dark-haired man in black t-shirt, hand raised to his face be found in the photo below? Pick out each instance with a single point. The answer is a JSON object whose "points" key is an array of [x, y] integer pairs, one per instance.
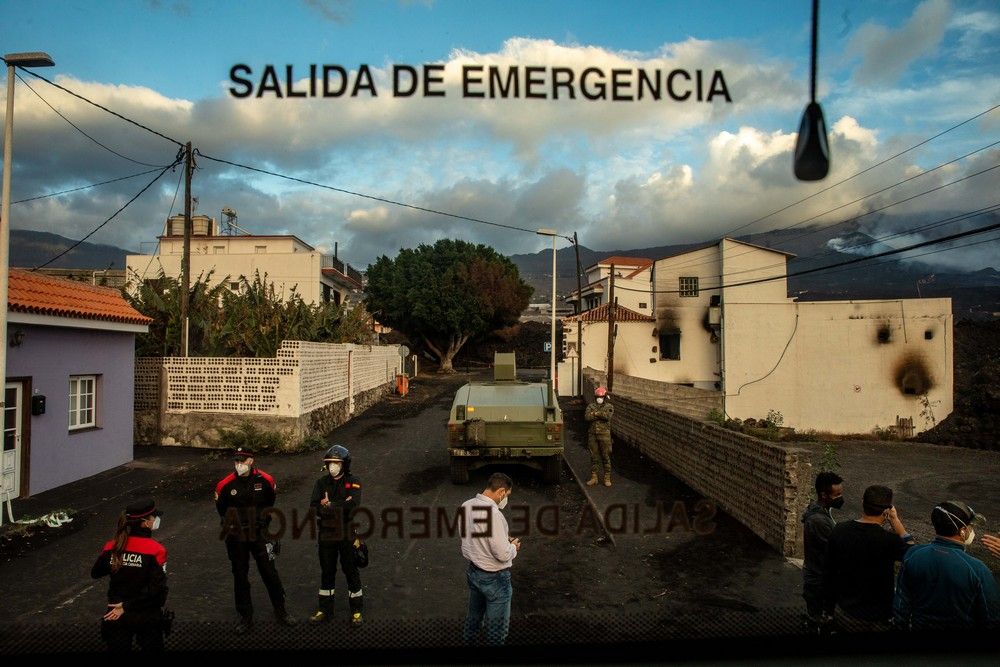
{"points": [[858, 583]]}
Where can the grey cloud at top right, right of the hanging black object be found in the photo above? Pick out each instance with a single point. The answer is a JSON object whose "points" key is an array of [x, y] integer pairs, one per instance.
{"points": [[886, 53]]}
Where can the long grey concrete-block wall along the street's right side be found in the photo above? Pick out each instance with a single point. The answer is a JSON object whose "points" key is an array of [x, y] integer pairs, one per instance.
{"points": [[763, 485]]}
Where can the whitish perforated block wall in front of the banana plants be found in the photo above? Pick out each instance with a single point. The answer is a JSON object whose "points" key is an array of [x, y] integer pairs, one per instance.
{"points": [[306, 389]]}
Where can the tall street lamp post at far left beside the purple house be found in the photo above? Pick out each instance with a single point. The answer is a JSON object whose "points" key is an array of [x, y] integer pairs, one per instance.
{"points": [[31, 59]]}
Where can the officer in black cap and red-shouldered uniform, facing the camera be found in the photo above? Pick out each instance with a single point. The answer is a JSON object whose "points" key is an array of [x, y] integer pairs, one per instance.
{"points": [[241, 498]]}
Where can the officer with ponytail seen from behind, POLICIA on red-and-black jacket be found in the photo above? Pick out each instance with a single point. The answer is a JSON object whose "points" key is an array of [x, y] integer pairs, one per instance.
{"points": [[137, 565]]}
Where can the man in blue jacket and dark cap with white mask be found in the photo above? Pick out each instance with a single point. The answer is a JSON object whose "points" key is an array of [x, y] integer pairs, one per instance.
{"points": [[940, 586]]}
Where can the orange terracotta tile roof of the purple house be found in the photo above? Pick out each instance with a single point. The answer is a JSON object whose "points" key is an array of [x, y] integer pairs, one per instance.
{"points": [[29, 292]]}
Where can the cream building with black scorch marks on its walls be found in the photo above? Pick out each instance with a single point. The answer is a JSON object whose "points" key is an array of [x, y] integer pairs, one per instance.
{"points": [[721, 321]]}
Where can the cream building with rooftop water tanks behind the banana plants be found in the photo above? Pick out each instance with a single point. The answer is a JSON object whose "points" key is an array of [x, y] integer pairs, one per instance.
{"points": [[287, 261]]}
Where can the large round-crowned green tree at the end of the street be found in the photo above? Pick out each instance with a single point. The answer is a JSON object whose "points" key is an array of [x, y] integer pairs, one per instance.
{"points": [[446, 293]]}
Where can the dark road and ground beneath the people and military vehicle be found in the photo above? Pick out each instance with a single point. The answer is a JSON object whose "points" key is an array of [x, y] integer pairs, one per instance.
{"points": [[644, 564]]}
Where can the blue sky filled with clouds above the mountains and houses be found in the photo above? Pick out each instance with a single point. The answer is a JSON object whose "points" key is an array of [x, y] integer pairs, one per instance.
{"points": [[621, 173]]}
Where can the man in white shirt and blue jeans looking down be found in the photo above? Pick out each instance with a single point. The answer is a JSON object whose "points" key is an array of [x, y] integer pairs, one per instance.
{"points": [[490, 551]]}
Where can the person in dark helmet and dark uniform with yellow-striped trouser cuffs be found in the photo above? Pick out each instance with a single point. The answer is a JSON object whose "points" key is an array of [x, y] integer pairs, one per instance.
{"points": [[335, 497]]}
